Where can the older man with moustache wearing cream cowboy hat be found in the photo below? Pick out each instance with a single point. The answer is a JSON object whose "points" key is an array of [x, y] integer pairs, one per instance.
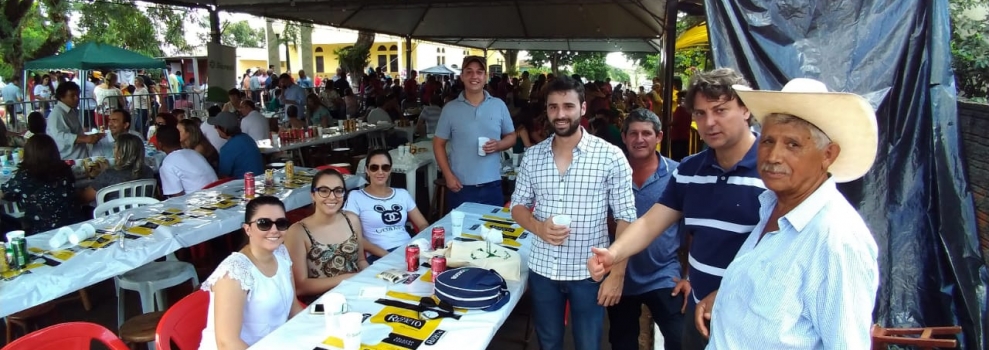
{"points": [[806, 278]]}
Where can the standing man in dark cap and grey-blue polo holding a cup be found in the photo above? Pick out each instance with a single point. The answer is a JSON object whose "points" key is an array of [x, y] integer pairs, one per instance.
{"points": [[469, 176]]}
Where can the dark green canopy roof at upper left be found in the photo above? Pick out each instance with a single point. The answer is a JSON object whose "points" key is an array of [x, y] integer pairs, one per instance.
{"points": [[90, 56]]}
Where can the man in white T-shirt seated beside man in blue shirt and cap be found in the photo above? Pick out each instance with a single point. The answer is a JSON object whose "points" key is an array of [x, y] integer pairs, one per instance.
{"points": [[183, 170]]}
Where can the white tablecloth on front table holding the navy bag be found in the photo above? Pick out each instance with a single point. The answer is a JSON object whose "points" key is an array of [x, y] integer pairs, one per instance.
{"points": [[474, 330]]}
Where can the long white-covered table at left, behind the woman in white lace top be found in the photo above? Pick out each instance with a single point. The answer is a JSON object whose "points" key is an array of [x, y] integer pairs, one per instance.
{"points": [[89, 267]]}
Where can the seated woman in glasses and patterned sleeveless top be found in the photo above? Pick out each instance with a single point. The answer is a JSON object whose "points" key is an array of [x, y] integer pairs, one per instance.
{"points": [[326, 246]]}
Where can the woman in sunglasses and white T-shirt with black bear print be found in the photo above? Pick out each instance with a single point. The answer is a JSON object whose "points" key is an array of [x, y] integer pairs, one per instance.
{"points": [[383, 210]]}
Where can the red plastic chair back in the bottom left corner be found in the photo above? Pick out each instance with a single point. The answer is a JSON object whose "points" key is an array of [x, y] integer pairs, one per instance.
{"points": [[68, 336]]}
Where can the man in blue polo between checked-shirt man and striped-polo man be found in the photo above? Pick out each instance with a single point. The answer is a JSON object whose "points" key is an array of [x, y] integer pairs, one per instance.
{"points": [[653, 277]]}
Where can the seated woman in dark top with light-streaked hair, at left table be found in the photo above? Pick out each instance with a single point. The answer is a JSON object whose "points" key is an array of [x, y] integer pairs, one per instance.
{"points": [[128, 156]]}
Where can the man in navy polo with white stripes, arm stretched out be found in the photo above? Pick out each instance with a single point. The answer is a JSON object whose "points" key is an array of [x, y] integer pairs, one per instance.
{"points": [[715, 191]]}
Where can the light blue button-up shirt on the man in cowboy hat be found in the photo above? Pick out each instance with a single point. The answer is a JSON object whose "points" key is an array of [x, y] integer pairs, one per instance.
{"points": [[810, 285]]}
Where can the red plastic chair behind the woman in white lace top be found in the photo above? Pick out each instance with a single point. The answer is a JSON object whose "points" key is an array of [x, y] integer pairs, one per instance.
{"points": [[183, 323]]}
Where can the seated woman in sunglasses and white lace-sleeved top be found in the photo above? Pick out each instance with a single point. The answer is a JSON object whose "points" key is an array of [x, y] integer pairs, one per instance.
{"points": [[251, 291]]}
